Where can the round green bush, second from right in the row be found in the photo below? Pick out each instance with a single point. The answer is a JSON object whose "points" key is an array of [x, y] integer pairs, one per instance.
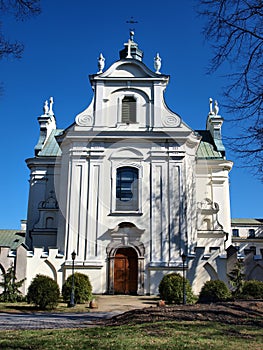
{"points": [[214, 291]]}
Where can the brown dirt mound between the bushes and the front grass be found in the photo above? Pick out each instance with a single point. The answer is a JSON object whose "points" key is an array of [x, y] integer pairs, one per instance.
{"points": [[238, 312]]}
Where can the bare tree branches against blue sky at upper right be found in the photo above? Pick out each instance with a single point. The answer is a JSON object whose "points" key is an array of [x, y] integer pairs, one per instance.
{"points": [[235, 30]]}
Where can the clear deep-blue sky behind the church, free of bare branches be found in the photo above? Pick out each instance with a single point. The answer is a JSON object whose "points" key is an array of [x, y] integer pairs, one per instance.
{"points": [[61, 49]]}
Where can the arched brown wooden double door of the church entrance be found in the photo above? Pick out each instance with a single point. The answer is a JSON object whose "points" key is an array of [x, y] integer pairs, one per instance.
{"points": [[125, 271]]}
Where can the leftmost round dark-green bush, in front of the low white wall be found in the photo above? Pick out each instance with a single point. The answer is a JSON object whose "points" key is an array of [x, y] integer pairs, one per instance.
{"points": [[43, 292]]}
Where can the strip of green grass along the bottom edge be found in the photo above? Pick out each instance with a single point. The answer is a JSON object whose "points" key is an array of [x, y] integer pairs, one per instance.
{"points": [[159, 335]]}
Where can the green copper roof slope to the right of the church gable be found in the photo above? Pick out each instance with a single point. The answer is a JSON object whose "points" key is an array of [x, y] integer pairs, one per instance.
{"points": [[207, 148]]}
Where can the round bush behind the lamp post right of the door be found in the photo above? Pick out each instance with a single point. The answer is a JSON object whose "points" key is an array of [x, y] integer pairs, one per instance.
{"points": [[171, 289]]}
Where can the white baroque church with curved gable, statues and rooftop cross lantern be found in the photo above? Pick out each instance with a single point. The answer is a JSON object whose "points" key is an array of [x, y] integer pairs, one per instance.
{"points": [[129, 187]]}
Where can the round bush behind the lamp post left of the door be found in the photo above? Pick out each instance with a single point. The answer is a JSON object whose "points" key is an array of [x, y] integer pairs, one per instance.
{"points": [[82, 288]]}
